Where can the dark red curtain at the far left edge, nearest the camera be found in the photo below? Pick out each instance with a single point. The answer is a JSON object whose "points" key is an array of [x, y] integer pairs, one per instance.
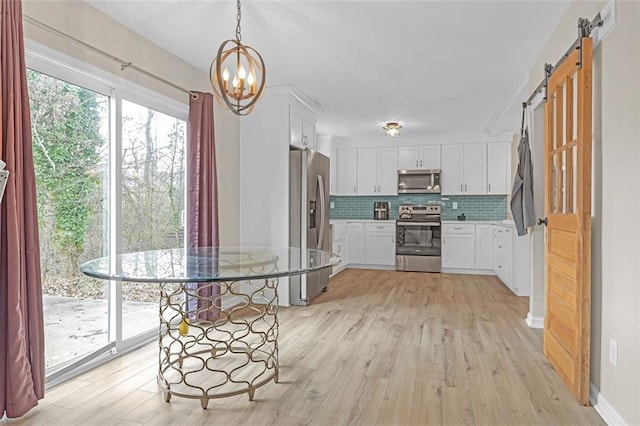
{"points": [[21, 318]]}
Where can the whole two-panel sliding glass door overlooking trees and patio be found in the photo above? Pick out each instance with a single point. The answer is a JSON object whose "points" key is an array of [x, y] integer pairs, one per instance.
{"points": [[110, 179]]}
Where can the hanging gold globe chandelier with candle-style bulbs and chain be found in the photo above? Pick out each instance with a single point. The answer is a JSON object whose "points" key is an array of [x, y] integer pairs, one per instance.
{"points": [[249, 74]]}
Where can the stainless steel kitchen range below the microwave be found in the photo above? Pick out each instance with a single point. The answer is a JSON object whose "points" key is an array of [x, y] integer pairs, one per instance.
{"points": [[418, 238]]}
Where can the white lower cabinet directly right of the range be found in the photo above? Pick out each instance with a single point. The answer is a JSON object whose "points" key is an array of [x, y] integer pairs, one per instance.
{"points": [[458, 246]]}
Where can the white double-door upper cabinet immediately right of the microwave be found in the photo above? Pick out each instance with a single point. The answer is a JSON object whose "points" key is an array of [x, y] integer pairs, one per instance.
{"points": [[464, 169]]}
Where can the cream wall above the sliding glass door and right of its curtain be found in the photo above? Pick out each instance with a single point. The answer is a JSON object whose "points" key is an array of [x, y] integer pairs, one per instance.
{"points": [[79, 20]]}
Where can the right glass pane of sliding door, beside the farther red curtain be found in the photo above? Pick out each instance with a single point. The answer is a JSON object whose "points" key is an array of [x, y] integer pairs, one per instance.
{"points": [[153, 146]]}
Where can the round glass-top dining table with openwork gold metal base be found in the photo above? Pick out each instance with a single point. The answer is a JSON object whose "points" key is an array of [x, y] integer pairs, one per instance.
{"points": [[208, 348]]}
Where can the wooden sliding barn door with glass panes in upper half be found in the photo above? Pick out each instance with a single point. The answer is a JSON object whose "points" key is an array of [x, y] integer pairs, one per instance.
{"points": [[568, 212]]}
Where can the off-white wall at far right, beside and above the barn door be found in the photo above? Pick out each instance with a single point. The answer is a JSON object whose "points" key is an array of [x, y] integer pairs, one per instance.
{"points": [[616, 178]]}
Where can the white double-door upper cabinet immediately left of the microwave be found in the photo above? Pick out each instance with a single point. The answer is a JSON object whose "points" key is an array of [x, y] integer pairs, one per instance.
{"points": [[377, 173]]}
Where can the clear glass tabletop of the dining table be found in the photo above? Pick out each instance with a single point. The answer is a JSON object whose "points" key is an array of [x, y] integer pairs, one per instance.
{"points": [[209, 264]]}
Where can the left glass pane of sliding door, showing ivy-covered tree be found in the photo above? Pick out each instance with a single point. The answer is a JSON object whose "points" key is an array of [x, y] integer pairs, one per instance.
{"points": [[70, 127]]}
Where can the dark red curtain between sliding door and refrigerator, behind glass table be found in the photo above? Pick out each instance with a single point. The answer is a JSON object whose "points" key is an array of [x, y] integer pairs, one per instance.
{"points": [[202, 200]]}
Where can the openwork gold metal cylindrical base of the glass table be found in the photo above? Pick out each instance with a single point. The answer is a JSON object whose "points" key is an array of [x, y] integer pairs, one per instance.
{"points": [[207, 352]]}
